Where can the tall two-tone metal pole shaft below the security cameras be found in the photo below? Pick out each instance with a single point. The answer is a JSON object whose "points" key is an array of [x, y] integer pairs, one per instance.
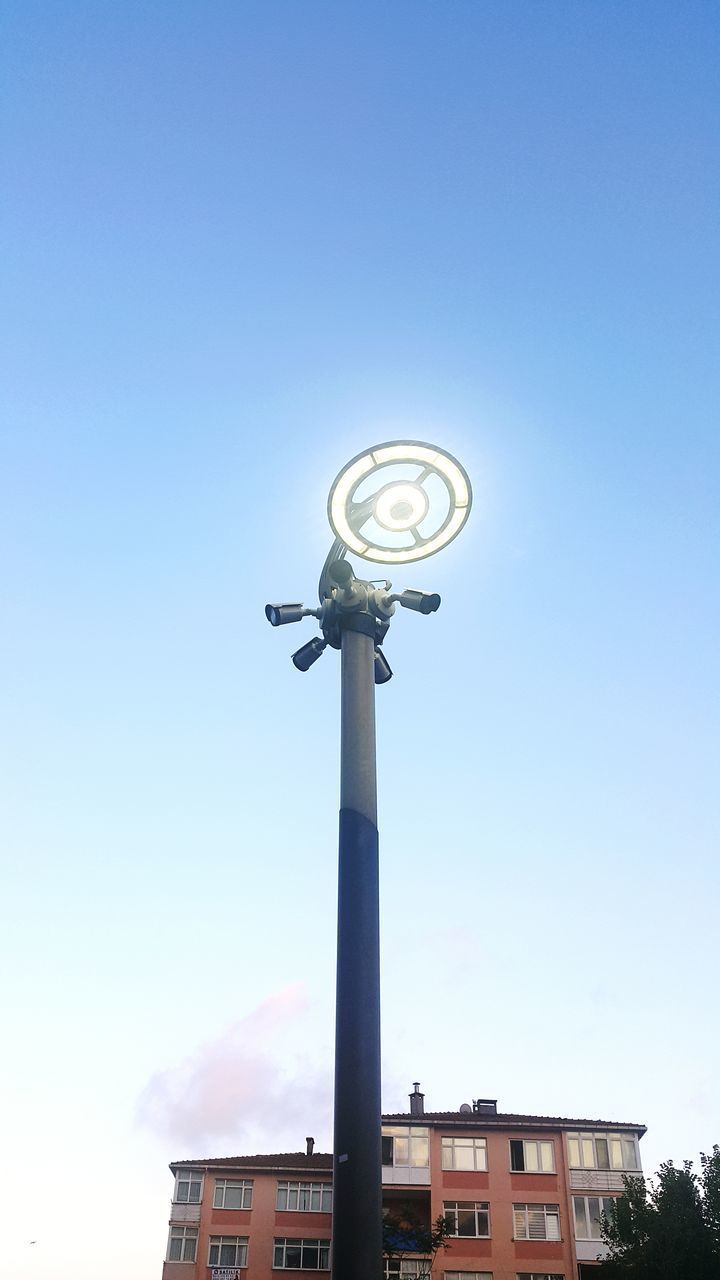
{"points": [[357, 1245]]}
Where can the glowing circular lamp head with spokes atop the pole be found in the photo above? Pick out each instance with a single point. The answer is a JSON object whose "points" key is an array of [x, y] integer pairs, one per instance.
{"points": [[400, 502]]}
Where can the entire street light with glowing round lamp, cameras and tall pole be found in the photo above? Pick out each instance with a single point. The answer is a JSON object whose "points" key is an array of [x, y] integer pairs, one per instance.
{"points": [[354, 618]]}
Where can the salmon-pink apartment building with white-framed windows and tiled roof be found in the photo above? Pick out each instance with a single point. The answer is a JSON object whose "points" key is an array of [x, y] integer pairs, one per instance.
{"points": [[523, 1196]]}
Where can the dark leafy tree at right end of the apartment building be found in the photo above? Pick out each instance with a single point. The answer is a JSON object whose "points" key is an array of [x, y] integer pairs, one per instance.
{"points": [[667, 1229]]}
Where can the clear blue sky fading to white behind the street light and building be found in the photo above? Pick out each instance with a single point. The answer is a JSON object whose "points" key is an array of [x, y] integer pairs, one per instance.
{"points": [[243, 243]]}
